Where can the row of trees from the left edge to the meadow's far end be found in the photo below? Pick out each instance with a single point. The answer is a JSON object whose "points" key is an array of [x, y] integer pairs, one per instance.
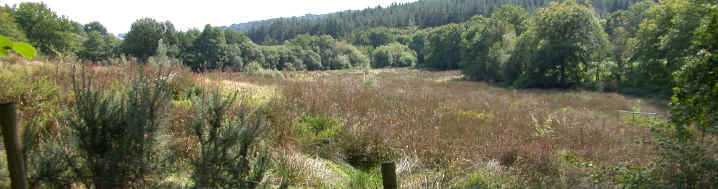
{"points": [[150, 40]]}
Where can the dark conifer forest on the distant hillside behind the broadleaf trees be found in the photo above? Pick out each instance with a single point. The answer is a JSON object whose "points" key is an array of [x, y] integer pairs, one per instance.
{"points": [[422, 14]]}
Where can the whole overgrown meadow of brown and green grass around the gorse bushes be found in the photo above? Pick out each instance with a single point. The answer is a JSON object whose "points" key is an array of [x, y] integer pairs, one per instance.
{"points": [[331, 129]]}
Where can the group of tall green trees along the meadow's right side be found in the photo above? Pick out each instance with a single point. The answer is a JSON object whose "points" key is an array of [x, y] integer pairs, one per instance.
{"points": [[569, 45]]}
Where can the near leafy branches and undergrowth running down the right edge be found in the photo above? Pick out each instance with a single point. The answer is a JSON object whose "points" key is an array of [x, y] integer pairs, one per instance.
{"points": [[684, 157]]}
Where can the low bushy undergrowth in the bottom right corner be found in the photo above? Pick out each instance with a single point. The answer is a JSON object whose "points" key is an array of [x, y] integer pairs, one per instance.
{"points": [[680, 162]]}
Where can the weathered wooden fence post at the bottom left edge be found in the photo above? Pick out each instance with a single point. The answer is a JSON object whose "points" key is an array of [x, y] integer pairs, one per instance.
{"points": [[12, 146]]}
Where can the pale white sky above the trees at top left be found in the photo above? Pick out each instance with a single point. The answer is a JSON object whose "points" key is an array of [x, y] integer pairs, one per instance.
{"points": [[118, 15]]}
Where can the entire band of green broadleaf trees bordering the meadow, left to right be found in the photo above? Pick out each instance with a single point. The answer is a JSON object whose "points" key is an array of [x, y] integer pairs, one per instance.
{"points": [[569, 44]]}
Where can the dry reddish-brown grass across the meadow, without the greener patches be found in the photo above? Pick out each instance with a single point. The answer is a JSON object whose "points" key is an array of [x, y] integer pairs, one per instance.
{"points": [[439, 128]]}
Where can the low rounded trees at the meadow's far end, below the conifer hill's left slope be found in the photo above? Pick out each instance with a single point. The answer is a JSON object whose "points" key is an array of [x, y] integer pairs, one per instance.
{"points": [[215, 48]]}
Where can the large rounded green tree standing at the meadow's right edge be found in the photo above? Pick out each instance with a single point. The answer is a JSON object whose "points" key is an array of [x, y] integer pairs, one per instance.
{"points": [[570, 40]]}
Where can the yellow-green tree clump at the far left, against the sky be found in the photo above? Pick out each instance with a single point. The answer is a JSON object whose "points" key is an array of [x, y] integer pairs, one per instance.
{"points": [[55, 35]]}
